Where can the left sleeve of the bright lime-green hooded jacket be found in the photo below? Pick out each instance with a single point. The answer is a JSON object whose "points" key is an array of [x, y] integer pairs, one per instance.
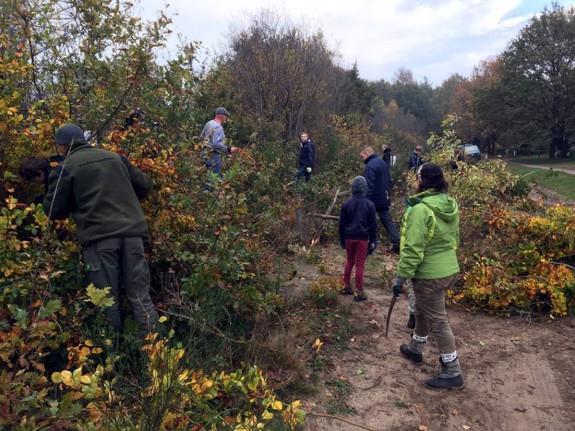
{"points": [[416, 232]]}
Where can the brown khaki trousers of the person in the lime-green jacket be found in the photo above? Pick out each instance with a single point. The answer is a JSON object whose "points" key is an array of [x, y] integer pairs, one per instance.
{"points": [[430, 311]]}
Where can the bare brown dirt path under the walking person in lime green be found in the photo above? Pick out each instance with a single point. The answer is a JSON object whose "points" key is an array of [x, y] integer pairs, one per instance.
{"points": [[519, 375]]}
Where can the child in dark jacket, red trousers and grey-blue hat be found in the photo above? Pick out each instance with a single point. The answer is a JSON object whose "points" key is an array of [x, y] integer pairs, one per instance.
{"points": [[357, 235]]}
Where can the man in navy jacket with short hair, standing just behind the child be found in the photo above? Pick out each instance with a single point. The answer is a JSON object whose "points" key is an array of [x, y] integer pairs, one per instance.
{"points": [[376, 174]]}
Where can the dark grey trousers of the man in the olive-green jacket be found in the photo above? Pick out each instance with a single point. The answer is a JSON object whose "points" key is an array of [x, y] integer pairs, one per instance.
{"points": [[115, 262]]}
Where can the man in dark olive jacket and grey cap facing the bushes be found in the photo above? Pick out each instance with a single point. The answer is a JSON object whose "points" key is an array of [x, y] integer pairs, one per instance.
{"points": [[101, 191]]}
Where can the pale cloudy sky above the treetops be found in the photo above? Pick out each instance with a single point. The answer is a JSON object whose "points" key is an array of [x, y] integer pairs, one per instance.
{"points": [[433, 38]]}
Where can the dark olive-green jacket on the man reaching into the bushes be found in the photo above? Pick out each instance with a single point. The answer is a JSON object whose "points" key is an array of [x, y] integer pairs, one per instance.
{"points": [[101, 190]]}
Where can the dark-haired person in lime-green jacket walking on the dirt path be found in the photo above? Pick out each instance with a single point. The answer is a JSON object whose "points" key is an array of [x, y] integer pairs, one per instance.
{"points": [[429, 241]]}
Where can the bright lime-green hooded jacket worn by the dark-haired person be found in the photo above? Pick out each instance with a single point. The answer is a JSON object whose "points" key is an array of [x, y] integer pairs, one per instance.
{"points": [[429, 237]]}
